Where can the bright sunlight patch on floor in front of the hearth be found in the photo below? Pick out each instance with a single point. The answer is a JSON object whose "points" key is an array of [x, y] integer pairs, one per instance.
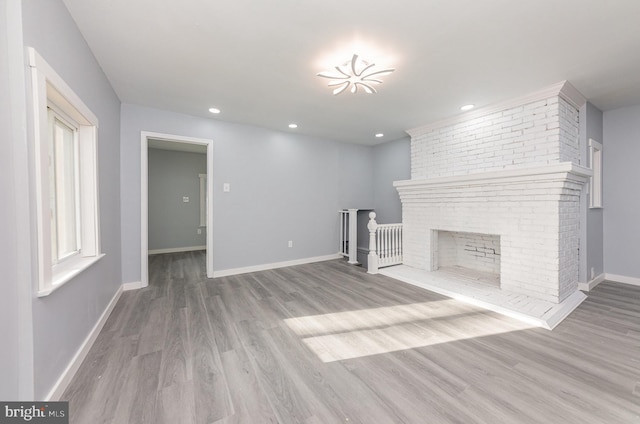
{"points": [[354, 334]]}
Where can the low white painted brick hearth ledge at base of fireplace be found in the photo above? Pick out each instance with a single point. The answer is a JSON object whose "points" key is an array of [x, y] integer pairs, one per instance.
{"points": [[527, 309]]}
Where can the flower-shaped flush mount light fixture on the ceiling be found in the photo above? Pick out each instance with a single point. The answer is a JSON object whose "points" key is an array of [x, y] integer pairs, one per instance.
{"points": [[355, 74]]}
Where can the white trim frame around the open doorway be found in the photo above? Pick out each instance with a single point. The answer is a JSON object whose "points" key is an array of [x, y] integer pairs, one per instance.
{"points": [[178, 143]]}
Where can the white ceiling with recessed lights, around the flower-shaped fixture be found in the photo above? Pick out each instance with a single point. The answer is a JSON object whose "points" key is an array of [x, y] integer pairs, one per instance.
{"points": [[257, 60]]}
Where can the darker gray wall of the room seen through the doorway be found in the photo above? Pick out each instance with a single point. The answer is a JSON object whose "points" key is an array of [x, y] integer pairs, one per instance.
{"points": [[173, 175]]}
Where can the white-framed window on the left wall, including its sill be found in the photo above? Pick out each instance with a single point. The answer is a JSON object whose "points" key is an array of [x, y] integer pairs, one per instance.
{"points": [[65, 149]]}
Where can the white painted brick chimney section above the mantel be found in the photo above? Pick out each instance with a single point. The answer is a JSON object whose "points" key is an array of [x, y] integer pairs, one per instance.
{"points": [[538, 133]]}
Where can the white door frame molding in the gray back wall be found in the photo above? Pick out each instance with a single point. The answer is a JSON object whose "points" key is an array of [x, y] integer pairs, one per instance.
{"points": [[144, 198]]}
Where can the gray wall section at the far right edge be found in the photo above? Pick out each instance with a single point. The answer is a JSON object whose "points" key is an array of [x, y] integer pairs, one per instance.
{"points": [[621, 192]]}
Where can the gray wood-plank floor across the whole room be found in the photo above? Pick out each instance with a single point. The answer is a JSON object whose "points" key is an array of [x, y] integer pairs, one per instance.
{"points": [[328, 343]]}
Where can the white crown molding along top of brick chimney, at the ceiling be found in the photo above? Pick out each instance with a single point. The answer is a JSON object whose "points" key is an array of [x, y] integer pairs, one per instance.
{"points": [[562, 89]]}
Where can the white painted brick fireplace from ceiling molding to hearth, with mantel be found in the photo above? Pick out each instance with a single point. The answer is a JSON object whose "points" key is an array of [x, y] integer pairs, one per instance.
{"points": [[497, 191]]}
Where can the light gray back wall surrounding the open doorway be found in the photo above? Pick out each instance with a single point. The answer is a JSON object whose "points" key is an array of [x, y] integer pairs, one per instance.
{"points": [[284, 187]]}
